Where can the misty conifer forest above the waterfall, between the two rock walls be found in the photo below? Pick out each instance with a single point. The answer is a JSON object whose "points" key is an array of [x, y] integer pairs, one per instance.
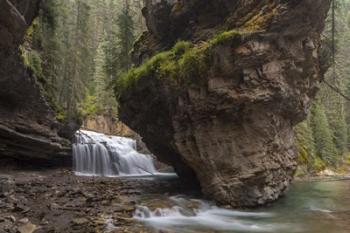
{"points": [[76, 48]]}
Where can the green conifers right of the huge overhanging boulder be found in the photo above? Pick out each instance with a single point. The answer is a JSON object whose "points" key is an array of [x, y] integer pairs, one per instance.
{"points": [[330, 118]]}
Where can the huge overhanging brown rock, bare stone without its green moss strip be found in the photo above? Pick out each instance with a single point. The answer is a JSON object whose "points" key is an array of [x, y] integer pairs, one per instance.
{"points": [[229, 127]]}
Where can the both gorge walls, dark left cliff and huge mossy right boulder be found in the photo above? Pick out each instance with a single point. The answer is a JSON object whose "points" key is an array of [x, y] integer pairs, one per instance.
{"points": [[215, 91]]}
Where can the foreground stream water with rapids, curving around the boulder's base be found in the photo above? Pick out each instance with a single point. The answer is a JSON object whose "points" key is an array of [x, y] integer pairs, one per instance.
{"points": [[309, 207]]}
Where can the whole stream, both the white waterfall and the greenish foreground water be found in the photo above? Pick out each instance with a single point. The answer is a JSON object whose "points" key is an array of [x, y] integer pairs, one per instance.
{"points": [[308, 207]]}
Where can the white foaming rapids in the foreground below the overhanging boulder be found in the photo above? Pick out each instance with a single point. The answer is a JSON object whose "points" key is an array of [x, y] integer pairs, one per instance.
{"points": [[204, 217]]}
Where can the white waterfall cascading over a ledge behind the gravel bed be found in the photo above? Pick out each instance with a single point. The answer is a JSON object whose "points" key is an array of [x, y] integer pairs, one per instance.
{"points": [[96, 154]]}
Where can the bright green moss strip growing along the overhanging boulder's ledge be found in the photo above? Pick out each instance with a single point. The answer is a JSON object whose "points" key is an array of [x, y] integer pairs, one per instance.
{"points": [[183, 62]]}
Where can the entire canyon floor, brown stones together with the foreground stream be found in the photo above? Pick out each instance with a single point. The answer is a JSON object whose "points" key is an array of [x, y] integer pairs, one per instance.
{"points": [[55, 200]]}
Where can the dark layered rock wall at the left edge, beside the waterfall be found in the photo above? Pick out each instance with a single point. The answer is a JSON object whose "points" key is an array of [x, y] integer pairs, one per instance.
{"points": [[28, 128]]}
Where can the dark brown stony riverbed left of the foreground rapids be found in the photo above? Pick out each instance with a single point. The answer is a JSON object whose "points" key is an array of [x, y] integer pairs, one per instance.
{"points": [[58, 201]]}
